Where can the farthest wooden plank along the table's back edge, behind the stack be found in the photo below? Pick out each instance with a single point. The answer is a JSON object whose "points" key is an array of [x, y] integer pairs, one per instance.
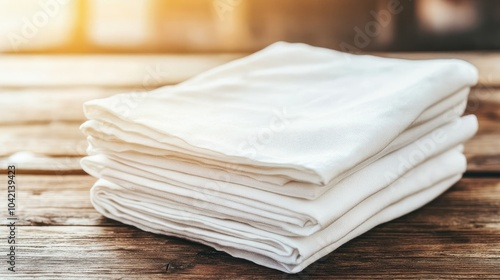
{"points": [[156, 70]]}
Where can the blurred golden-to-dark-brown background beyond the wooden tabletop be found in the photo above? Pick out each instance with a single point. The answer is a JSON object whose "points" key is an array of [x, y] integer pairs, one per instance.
{"points": [[204, 26]]}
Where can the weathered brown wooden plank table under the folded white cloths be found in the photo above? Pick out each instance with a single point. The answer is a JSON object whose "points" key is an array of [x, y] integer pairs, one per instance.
{"points": [[60, 235]]}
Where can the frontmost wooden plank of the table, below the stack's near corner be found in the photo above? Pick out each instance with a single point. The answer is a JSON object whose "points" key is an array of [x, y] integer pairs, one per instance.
{"points": [[115, 252]]}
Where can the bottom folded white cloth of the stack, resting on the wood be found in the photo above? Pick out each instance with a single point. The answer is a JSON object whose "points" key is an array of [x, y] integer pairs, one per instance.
{"points": [[291, 254]]}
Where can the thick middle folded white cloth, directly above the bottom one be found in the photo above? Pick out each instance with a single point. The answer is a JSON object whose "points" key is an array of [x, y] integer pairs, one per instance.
{"points": [[266, 210]]}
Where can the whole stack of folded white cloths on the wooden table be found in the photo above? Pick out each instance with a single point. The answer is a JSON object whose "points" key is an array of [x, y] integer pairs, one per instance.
{"points": [[284, 155]]}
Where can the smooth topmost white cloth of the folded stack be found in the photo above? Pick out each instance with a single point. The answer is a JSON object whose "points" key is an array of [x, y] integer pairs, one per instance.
{"points": [[304, 113]]}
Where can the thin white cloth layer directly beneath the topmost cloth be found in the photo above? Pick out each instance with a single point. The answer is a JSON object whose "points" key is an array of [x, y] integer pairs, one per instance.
{"points": [[108, 138]]}
